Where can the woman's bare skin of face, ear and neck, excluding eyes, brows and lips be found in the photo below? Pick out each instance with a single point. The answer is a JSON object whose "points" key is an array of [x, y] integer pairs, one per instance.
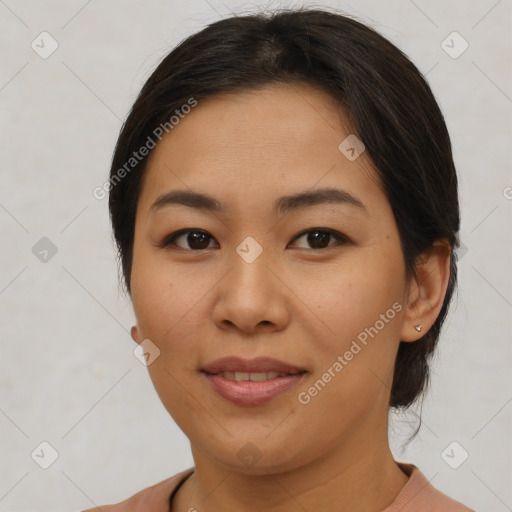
{"points": [[296, 303]]}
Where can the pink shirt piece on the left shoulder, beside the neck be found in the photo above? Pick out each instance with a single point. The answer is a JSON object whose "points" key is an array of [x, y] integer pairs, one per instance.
{"points": [[154, 498]]}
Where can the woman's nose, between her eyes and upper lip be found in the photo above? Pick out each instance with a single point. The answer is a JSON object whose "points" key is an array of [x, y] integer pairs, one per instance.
{"points": [[252, 297]]}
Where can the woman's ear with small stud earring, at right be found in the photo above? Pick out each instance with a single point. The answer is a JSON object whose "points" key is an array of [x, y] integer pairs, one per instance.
{"points": [[426, 291]]}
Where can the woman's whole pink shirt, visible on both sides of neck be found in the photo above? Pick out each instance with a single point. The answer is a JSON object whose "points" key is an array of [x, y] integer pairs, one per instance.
{"points": [[417, 495]]}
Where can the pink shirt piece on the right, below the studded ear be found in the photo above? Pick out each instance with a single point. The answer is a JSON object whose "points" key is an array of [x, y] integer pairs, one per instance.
{"points": [[420, 495]]}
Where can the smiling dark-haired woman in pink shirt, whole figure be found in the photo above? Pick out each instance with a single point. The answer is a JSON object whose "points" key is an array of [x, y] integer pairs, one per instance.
{"points": [[284, 202]]}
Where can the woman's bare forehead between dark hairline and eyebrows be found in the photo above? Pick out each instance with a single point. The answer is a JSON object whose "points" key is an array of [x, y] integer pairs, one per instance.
{"points": [[257, 143]]}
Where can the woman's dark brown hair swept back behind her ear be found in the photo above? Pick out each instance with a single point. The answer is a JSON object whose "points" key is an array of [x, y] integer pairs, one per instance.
{"points": [[389, 105]]}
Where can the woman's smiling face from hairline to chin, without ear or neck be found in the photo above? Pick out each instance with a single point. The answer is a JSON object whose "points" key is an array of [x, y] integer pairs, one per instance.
{"points": [[252, 280]]}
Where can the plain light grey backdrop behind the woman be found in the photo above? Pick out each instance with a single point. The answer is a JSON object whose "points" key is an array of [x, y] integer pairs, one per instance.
{"points": [[69, 377]]}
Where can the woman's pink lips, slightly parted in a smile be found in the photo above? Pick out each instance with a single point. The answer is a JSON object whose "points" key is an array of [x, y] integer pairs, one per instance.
{"points": [[249, 392]]}
